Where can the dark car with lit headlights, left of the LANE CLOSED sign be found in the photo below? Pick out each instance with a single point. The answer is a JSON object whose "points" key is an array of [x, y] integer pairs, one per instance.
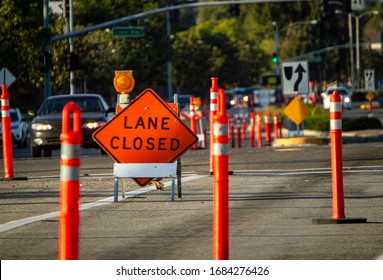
{"points": [[46, 126]]}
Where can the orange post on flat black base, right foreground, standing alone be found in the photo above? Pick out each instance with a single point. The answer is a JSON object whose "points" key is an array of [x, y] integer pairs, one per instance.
{"points": [[338, 213]]}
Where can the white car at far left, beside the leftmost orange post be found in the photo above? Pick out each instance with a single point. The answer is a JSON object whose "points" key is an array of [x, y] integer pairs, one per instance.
{"points": [[19, 128]]}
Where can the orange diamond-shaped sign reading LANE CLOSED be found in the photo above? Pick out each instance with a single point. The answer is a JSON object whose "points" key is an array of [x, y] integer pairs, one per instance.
{"points": [[146, 131]]}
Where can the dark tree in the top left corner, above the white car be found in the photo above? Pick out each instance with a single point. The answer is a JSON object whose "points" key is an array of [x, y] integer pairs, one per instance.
{"points": [[22, 40]]}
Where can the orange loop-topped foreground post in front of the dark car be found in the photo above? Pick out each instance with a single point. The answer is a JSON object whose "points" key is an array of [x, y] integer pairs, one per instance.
{"points": [[71, 140]]}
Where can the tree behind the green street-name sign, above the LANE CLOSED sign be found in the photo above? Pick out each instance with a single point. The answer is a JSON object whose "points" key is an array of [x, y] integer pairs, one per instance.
{"points": [[101, 54]]}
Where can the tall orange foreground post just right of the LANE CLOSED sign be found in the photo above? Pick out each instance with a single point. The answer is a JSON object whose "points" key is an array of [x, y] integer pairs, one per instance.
{"points": [[221, 182]]}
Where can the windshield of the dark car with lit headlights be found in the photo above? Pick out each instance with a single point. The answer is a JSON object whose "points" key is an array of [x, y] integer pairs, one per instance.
{"points": [[87, 104]]}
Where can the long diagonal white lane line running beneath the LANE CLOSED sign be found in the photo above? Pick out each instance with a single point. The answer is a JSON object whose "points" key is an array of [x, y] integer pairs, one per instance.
{"points": [[22, 222]]}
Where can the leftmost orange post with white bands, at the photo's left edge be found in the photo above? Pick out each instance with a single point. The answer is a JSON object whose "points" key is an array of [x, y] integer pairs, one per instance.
{"points": [[7, 133]]}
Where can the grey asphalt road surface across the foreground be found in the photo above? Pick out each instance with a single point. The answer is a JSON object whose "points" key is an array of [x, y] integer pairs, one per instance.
{"points": [[275, 194]]}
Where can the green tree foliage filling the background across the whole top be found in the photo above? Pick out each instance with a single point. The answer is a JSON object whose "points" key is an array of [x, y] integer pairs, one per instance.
{"points": [[235, 45]]}
